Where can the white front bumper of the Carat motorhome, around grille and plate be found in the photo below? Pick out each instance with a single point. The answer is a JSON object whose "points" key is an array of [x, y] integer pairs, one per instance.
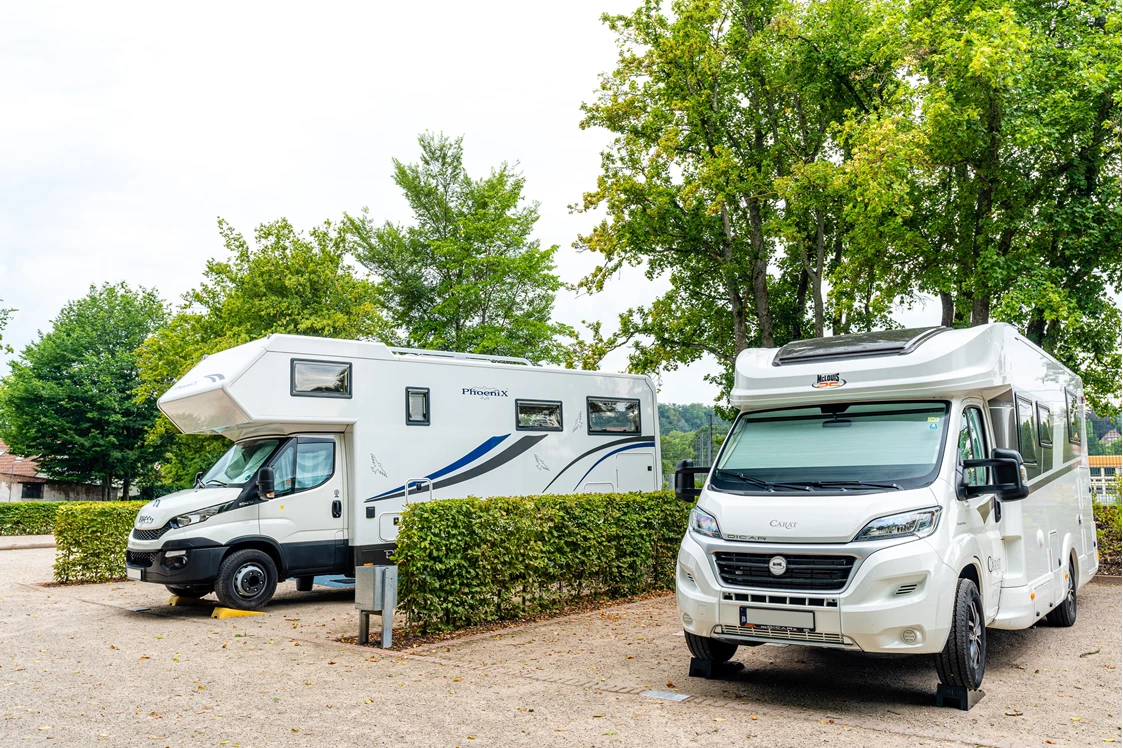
{"points": [[897, 600]]}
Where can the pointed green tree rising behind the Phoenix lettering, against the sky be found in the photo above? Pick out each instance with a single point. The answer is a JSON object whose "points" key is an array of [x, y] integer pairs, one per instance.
{"points": [[468, 276]]}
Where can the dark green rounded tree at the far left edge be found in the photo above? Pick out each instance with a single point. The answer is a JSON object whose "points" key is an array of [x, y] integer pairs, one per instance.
{"points": [[69, 399]]}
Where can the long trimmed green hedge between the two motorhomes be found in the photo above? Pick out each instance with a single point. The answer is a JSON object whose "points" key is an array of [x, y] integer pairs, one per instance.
{"points": [[465, 562]]}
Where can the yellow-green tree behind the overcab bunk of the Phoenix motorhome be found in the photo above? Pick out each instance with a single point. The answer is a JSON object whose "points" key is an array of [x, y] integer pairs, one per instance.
{"points": [[289, 282]]}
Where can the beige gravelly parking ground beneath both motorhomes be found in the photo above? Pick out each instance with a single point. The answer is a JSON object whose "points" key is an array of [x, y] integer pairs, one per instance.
{"points": [[81, 667]]}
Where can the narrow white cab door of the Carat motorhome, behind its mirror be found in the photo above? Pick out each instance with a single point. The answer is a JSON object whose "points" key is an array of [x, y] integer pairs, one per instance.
{"points": [[980, 515]]}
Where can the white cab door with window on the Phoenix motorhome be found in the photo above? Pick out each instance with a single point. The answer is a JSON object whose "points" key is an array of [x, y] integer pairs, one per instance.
{"points": [[306, 516]]}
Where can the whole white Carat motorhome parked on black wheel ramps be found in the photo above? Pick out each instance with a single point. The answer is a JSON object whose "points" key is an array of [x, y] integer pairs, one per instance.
{"points": [[891, 492]]}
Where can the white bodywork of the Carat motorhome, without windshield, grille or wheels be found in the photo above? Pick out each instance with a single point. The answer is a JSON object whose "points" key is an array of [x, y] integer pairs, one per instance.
{"points": [[1021, 561]]}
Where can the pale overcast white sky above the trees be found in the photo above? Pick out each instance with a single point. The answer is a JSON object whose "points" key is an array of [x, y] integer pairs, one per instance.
{"points": [[127, 130]]}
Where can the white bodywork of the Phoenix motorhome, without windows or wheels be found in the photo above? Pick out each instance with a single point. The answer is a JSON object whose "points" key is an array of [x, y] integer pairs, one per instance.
{"points": [[471, 444]]}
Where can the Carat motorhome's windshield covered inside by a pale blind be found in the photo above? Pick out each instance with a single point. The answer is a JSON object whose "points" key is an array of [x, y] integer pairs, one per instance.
{"points": [[836, 448]]}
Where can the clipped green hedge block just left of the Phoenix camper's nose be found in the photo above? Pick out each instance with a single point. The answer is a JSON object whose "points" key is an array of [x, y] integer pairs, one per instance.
{"points": [[92, 539]]}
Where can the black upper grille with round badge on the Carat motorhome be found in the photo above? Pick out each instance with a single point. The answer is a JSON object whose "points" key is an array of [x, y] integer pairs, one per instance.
{"points": [[809, 573]]}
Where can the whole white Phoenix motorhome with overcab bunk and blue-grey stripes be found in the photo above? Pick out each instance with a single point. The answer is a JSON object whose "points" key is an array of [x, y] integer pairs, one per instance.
{"points": [[333, 439]]}
